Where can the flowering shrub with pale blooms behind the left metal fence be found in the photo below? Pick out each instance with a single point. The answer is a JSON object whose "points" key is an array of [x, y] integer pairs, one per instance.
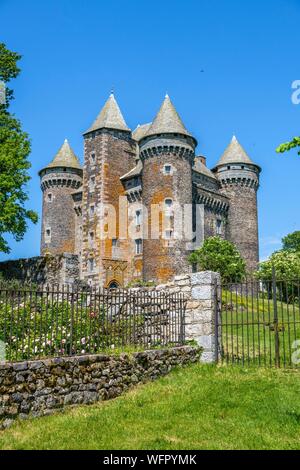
{"points": [[42, 327]]}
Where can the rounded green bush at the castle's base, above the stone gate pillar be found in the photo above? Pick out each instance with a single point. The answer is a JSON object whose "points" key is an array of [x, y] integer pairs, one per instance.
{"points": [[220, 256]]}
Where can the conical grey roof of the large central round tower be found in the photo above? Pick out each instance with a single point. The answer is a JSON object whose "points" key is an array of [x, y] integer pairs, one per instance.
{"points": [[167, 121]]}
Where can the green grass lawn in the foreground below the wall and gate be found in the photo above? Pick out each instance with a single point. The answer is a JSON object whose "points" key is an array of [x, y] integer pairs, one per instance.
{"points": [[198, 407]]}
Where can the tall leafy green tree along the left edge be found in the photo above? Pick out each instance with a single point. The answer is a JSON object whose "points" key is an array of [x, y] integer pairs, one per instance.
{"points": [[14, 165]]}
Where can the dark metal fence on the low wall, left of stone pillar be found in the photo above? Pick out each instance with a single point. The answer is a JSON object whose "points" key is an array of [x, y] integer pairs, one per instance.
{"points": [[60, 321]]}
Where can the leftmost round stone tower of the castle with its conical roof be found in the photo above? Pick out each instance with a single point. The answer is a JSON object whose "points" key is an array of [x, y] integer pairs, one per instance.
{"points": [[59, 180]]}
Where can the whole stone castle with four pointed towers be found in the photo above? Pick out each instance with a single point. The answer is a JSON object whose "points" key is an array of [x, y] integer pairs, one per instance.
{"points": [[140, 175]]}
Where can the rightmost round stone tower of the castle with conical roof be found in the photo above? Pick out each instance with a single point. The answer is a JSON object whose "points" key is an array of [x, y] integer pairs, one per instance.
{"points": [[239, 180]]}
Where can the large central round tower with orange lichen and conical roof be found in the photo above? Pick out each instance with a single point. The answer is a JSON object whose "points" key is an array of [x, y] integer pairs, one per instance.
{"points": [[167, 151]]}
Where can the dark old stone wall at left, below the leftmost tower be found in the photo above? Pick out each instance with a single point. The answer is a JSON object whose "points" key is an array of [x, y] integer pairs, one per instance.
{"points": [[49, 269]]}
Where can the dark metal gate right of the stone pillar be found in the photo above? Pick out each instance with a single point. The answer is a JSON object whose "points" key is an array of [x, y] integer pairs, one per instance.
{"points": [[259, 323]]}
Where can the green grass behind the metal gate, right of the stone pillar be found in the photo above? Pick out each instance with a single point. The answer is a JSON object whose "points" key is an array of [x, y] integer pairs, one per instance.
{"points": [[248, 333]]}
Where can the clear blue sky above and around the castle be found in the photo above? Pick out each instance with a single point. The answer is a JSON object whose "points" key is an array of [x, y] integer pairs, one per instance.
{"points": [[75, 51]]}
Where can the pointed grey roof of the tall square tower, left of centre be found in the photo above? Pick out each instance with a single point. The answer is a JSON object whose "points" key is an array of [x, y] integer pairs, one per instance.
{"points": [[110, 117]]}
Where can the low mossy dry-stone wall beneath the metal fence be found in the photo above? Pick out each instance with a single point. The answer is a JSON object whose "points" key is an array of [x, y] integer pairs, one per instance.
{"points": [[39, 388]]}
